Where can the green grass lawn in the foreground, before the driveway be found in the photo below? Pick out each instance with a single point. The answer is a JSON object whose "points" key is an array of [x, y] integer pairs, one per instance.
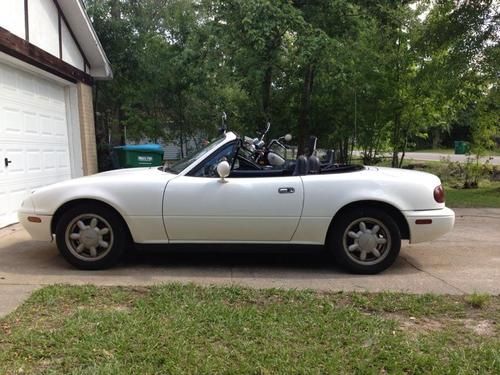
{"points": [[190, 329]]}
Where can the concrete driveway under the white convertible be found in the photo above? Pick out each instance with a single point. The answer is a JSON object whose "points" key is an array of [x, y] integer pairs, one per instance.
{"points": [[464, 261]]}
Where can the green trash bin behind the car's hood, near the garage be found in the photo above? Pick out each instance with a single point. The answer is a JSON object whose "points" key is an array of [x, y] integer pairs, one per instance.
{"points": [[131, 156]]}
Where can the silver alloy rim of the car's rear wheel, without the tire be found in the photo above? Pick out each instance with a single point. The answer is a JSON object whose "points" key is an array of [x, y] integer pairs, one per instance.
{"points": [[366, 241]]}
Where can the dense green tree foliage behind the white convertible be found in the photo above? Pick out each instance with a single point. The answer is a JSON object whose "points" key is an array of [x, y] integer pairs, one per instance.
{"points": [[375, 76]]}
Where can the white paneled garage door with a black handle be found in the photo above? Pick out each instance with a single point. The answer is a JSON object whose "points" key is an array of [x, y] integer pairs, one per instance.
{"points": [[34, 148]]}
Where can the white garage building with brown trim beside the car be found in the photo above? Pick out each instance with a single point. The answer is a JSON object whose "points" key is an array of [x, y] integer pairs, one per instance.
{"points": [[49, 59]]}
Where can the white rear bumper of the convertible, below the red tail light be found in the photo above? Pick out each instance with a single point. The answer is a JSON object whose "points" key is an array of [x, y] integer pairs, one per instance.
{"points": [[442, 222]]}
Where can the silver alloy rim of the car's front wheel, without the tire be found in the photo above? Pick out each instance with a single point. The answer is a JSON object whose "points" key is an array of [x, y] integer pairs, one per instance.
{"points": [[89, 237]]}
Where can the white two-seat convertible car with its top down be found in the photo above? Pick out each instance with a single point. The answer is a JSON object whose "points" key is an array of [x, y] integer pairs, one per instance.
{"points": [[219, 195]]}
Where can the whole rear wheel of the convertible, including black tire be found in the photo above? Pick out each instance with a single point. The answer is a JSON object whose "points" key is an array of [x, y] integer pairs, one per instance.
{"points": [[378, 255]]}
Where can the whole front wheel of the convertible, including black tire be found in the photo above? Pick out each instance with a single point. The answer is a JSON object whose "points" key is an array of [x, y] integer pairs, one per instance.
{"points": [[70, 236]]}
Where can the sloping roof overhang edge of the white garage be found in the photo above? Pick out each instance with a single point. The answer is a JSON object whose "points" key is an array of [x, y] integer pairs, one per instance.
{"points": [[84, 32]]}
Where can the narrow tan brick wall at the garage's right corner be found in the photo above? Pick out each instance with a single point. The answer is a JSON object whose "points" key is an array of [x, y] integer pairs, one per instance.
{"points": [[87, 128]]}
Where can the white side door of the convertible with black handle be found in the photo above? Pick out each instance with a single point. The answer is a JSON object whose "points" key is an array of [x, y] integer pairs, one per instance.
{"points": [[254, 209]]}
